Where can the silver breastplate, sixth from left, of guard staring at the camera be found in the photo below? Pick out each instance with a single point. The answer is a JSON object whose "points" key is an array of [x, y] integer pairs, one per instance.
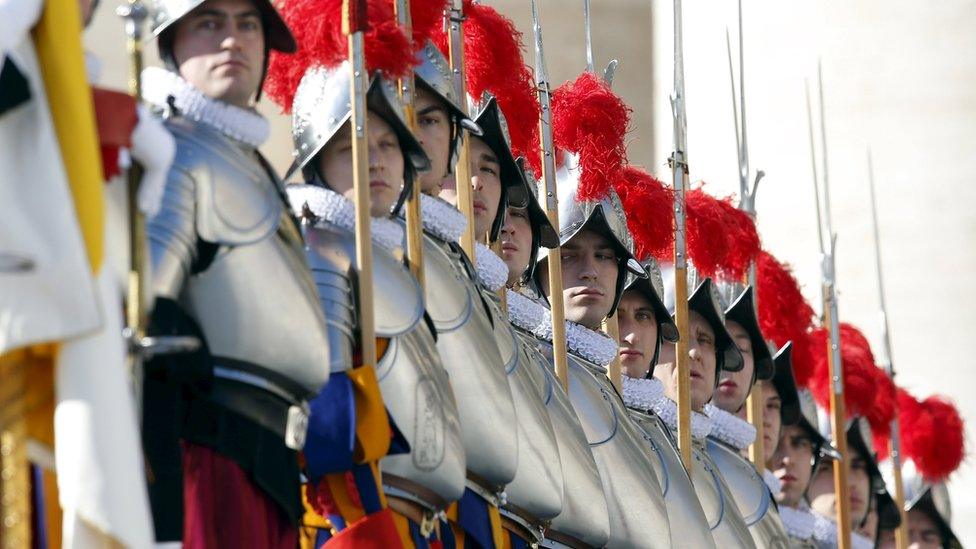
{"points": [[635, 500]]}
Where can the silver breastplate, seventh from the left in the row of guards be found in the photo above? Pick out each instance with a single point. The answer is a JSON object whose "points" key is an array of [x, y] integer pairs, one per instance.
{"points": [[685, 513]]}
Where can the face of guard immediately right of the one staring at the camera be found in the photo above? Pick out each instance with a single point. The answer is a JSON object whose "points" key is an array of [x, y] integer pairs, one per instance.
{"points": [[638, 333]]}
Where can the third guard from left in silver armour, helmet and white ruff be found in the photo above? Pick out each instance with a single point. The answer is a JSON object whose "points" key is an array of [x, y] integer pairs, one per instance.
{"points": [[465, 322]]}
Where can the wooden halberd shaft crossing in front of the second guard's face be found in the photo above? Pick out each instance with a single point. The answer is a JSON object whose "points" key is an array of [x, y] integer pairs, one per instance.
{"points": [[353, 23]]}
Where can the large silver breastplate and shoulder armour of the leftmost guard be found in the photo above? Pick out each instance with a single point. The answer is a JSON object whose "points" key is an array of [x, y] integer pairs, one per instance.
{"points": [[256, 300]]}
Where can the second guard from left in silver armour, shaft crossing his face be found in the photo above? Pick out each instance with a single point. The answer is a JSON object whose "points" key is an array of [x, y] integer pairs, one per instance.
{"points": [[416, 390]]}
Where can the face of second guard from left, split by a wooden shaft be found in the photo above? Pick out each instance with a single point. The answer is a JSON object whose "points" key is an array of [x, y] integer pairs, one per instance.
{"points": [[385, 165]]}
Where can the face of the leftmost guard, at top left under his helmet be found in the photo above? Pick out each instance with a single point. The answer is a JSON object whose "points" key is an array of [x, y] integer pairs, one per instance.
{"points": [[219, 49]]}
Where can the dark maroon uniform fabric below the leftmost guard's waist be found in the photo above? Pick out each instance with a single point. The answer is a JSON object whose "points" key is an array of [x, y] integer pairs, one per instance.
{"points": [[223, 508]]}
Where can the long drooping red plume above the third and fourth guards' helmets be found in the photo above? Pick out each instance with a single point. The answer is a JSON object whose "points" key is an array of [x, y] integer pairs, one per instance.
{"points": [[493, 62]]}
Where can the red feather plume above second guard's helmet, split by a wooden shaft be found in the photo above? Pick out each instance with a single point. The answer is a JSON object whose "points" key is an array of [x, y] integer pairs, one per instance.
{"points": [[317, 27]]}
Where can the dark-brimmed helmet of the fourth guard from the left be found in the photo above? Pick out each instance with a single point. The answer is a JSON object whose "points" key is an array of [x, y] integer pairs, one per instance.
{"points": [[494, 133]]}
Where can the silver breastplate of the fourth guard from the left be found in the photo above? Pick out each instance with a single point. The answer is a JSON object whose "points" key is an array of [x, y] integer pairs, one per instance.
{"points": [[536, 493]]}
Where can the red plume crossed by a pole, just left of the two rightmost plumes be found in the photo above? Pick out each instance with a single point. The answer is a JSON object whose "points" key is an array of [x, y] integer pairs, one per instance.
{"points": [[858, 361]]}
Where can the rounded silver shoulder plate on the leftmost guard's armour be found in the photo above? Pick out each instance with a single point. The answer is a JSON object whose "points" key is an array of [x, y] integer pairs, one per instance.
{"points": [[237, 202]]}
